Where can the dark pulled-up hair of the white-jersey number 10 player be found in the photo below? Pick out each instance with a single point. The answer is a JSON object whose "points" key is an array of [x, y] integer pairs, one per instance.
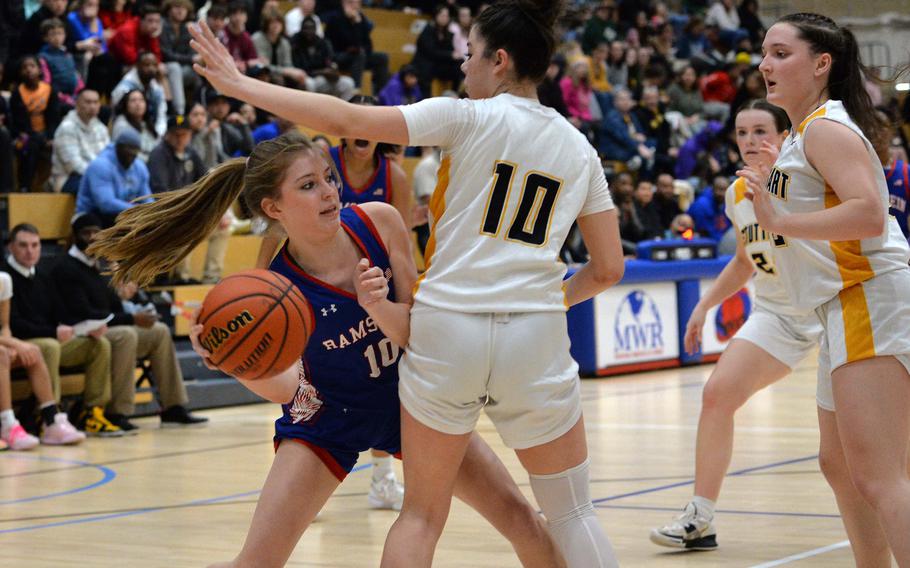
{"points": [[526, 30]]}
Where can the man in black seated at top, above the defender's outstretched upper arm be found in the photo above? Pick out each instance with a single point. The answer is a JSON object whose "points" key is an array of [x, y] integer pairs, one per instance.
{"points": [[348, 30]]}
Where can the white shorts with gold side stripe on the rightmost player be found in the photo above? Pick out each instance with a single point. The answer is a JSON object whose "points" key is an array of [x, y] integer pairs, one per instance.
{"points": [[867, 320]]}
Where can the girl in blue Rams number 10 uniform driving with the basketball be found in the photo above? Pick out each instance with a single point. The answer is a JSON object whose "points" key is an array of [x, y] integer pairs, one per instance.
{"points": [[354, 266]]}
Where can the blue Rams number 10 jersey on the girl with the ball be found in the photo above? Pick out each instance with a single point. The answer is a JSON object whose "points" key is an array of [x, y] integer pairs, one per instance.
{"points": [[348, 393]]}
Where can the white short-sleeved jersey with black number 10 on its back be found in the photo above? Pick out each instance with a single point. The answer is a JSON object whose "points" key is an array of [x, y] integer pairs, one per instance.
{"points": [[513, 178]]}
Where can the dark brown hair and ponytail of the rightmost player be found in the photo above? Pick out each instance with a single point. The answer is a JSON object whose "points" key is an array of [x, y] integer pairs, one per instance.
{"points": [[845, 81]]}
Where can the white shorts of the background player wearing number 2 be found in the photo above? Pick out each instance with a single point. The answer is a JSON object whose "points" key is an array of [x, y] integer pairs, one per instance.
{"points": [[789, 339]]}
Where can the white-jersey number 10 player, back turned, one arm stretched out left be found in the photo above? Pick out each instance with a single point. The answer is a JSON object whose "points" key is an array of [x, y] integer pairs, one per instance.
{"points": [[489, 326]]}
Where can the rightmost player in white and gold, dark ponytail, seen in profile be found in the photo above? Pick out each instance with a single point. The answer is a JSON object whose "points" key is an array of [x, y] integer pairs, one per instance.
{"points": [[846, 260]]}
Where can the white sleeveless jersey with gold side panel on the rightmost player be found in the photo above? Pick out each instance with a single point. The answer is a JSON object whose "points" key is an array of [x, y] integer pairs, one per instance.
{"points": [[815, 271]]}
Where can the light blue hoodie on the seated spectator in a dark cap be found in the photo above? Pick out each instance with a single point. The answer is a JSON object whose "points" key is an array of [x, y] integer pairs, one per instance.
{"points": [[108, 188]]}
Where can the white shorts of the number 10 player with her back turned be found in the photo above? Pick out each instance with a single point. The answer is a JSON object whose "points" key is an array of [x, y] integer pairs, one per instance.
{"points": [[516, 366]]}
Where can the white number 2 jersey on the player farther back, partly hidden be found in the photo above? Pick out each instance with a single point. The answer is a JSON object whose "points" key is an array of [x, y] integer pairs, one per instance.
{"points": [[770, 291]]}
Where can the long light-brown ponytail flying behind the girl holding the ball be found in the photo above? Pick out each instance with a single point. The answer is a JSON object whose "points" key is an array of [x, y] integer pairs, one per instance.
{"points": [[152, 238]]}
